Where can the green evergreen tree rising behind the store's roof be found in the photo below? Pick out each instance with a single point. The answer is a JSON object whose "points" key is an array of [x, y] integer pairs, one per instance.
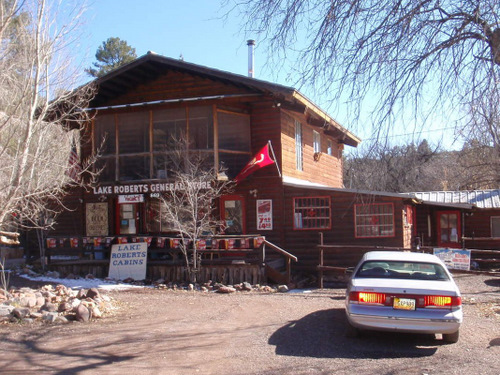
{"points": [[112, 54]]}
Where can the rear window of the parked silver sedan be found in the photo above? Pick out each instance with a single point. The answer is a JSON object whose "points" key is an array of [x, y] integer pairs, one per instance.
{"points": [[402, 270]]}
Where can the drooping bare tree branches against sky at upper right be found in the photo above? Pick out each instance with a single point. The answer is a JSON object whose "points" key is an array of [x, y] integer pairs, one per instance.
{"points": [[421, 57]]}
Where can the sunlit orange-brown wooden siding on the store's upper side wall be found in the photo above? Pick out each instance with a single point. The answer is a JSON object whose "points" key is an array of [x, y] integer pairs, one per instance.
{"points": [[327, 170]]}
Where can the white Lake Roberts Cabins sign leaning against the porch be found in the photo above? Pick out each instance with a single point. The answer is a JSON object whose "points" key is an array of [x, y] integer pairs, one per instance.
{"points": [[128, 261]]}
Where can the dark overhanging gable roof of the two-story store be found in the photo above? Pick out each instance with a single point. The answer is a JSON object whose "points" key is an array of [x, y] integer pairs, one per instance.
{"points": [[151, 65]]}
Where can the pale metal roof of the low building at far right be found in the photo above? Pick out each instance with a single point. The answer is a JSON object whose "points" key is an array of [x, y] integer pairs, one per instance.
{"points": [[477, 198]]}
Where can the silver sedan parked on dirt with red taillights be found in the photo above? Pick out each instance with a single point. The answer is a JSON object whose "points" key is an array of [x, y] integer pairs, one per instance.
{"points": [[403, 292]]}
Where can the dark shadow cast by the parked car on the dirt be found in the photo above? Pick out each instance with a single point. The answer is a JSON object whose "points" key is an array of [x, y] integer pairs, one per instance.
{"points": [[322, 335]]}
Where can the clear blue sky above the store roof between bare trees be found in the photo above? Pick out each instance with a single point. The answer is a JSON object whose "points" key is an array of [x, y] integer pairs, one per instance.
{"points": [[197, 30]]}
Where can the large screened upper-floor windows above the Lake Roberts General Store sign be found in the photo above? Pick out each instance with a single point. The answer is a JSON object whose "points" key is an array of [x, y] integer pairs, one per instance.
{"points": [[128, 153]]}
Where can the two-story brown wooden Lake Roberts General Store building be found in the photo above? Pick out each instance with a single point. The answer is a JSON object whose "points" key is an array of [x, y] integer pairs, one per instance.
{"points": [[294, 204]]}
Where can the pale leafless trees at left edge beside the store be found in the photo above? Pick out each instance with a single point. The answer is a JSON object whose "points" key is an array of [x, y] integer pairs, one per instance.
{"points": [[40, 117]]}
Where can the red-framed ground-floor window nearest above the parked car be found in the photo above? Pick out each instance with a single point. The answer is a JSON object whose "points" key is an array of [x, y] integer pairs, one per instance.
{"points": [[374, 220]]}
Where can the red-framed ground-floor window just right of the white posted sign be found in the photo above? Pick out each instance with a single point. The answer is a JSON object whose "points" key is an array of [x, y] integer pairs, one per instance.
{"points": [[311, 213]]}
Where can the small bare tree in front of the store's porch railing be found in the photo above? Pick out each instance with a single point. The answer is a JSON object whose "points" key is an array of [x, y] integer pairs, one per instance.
{"points": [[188, 207]]}
